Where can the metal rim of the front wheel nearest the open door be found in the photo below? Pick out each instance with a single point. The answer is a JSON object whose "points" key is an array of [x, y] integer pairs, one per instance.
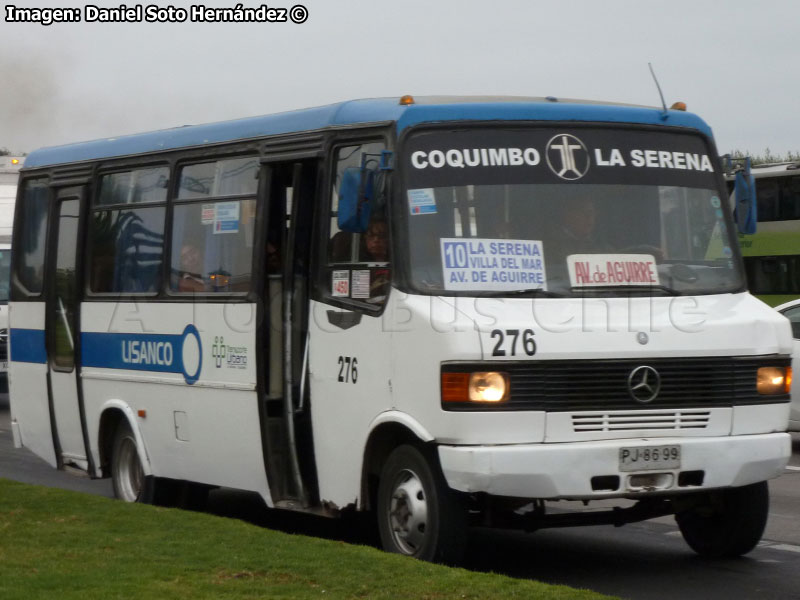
{"points": [[408, 512]]}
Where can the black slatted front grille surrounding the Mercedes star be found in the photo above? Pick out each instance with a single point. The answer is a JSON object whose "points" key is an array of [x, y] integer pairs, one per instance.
{"points": [[580, 385]]}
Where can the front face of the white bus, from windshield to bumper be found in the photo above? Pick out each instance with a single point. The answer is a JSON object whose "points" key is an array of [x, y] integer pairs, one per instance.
{"points": [[579, 284]]}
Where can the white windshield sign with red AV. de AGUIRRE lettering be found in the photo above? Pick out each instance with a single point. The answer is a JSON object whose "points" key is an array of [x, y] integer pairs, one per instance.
{"points": [[598, 270]]}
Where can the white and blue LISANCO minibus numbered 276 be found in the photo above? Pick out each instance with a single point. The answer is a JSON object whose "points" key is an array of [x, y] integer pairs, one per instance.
{"points": [[442, 310]]}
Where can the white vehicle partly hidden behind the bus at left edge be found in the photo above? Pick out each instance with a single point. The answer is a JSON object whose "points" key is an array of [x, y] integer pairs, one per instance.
{"points": [[9, 175]]}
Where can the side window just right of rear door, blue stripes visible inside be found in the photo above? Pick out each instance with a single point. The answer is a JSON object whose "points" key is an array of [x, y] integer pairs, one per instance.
{"points": [[127, 232]]}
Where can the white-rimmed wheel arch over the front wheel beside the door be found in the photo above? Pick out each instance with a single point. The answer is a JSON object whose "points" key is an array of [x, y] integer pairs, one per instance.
{"points": [[388, 431]]}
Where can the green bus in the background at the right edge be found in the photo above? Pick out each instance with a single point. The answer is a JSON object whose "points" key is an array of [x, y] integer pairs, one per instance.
{"points": [[772, 254]]}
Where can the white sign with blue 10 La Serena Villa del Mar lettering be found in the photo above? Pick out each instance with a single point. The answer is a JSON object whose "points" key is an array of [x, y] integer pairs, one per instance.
{"points": [[493, 265]]}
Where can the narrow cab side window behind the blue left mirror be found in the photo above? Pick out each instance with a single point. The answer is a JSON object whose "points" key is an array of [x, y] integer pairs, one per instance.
{"points": [[358, 264]]}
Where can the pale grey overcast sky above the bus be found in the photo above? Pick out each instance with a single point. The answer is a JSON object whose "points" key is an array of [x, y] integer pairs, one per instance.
{"points": [[735, 63]]}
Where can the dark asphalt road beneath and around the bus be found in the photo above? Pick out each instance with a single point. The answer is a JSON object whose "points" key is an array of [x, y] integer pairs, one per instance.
{"points": [[647, 561]]}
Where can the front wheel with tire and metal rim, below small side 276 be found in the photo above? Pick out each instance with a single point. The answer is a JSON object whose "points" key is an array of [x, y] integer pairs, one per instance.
{"points": [[418, 514]]}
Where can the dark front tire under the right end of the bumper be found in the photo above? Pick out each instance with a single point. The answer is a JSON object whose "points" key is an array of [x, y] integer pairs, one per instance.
{"points": [[727, 523]]}
